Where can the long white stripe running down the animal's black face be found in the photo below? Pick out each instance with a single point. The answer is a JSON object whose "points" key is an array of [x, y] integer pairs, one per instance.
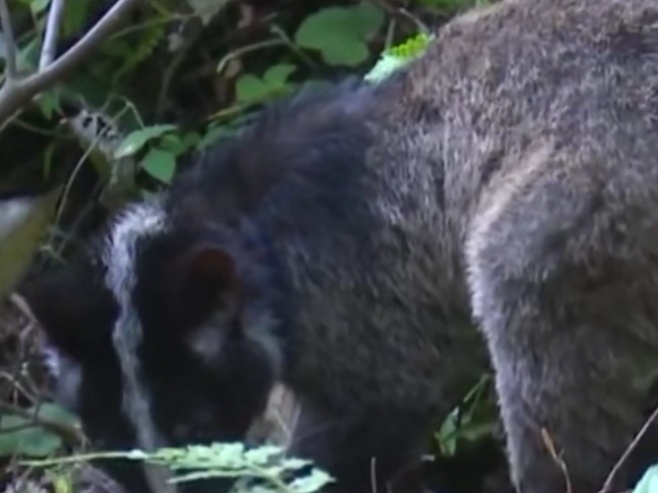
{"points": [[119, 256]]}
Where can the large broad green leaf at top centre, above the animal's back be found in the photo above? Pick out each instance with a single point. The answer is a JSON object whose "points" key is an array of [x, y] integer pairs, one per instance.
{"points": [[340, 33]]}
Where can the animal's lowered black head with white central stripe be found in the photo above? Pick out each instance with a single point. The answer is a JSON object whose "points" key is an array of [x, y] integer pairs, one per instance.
{"points": [[159, 335]]}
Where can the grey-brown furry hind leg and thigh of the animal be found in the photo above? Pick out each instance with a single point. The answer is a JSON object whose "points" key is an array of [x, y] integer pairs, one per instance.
{"points": [[563, 272]]}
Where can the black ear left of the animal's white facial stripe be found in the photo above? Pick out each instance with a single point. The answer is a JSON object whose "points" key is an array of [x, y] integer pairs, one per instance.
{"points": [[75, 313]]}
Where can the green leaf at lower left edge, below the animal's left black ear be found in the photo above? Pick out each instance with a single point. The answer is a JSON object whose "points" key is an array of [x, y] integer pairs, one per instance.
{"points": [[20, 436]]}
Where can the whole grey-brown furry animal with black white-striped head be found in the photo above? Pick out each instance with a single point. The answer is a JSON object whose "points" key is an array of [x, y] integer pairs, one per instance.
{"points": [[351, 242]]}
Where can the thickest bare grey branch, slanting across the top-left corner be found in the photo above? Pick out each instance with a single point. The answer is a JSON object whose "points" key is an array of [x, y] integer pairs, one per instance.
{"points": [[14, 96]]}
